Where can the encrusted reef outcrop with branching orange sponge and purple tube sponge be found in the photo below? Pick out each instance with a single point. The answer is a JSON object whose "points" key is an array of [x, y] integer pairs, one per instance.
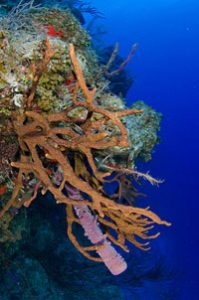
{"points": [[65, 133]]}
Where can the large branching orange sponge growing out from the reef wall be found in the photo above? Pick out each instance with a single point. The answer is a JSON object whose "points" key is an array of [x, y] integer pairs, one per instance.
{"points": [[43, 142]]}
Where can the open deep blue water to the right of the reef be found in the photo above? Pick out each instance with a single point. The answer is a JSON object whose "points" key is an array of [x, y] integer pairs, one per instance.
{"points": [[166, 68]]}
